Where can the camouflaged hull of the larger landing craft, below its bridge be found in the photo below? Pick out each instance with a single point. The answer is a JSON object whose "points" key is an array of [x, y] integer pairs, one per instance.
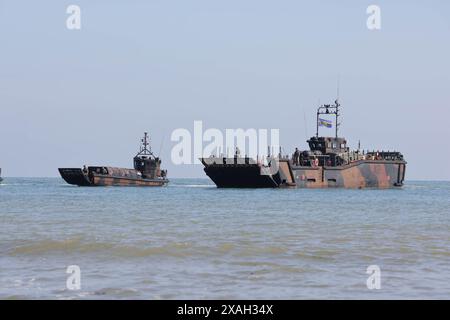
{"points": [[358, 174]]}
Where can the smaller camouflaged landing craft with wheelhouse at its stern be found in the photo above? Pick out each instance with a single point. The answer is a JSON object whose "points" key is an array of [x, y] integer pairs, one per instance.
{"points": [[146, 172]]}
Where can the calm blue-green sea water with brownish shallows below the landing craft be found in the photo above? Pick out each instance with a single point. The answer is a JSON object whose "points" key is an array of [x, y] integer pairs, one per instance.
{"points": [[191, 240]]}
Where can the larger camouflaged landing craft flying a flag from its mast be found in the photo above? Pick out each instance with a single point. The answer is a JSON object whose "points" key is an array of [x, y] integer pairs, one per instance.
{"points": [[328, 163]]}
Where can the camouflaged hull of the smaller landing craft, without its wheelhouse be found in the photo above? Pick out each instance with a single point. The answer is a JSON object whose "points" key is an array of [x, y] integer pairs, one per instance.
{"points": [[111, 177]]}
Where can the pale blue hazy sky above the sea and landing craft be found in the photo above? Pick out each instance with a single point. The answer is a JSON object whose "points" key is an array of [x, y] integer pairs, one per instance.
{"points": [[74, 97]]}
